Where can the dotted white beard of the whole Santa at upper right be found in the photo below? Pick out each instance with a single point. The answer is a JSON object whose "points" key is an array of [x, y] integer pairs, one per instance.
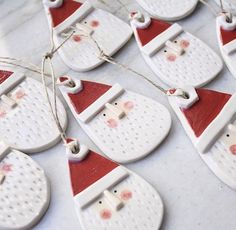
{"points": [[197, 66]]}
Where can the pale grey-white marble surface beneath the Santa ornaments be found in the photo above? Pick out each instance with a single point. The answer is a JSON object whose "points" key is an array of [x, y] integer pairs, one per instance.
{"points": [[194, 198]]}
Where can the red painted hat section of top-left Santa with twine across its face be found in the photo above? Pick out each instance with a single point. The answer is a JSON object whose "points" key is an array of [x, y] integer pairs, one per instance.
{"points": [[61, 13]]}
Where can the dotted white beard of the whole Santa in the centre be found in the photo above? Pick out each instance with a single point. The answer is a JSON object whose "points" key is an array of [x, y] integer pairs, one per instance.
{"points": [[137, 134]]}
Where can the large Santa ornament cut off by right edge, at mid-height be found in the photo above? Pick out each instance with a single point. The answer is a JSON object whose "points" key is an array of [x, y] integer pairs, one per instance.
{"points": [[208, 118]]}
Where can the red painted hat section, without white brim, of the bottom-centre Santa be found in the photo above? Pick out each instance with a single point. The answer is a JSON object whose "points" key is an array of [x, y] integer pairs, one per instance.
{"points": [[88, 171]]}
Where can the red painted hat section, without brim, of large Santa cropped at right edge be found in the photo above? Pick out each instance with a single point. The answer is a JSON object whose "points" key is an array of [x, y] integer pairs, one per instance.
{"points": [[206, 109]]}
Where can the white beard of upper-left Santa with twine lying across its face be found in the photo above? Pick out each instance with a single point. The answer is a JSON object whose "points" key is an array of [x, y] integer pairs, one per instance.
{"points": [[111, 34]]}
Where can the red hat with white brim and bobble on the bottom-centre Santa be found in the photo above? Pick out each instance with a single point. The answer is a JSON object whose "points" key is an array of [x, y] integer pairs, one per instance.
{"points": [[92, 174]]}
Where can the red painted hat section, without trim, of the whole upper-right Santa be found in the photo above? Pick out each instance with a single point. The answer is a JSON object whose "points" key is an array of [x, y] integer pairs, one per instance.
{"points": [[155, 28]]}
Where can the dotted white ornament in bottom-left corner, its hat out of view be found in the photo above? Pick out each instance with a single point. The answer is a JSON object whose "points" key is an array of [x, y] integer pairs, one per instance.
{"points": [[24, 190]]}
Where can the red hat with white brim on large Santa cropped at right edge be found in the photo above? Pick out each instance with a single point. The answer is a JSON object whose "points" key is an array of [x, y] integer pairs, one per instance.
{"points": [[209, 115]]}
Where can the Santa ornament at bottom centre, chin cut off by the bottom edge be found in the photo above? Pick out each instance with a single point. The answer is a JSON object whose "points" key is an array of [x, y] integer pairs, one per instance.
{"points": [[109, 196]]}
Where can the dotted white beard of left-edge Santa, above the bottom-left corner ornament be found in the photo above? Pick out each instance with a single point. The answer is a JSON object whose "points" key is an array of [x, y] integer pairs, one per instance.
{"points": [[30, 126]]}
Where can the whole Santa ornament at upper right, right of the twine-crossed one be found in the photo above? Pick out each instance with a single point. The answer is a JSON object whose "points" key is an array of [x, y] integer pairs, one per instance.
{"points": [[176, 56]]}
